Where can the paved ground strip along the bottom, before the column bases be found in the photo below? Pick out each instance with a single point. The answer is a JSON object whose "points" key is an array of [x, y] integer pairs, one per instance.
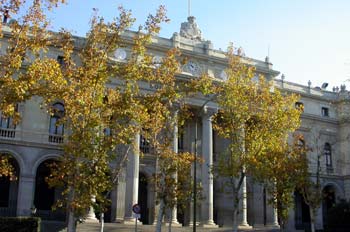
{"points": [[116, 227]]}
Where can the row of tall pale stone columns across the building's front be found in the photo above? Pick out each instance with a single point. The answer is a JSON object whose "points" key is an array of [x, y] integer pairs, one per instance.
{"points": [[207, 204]]}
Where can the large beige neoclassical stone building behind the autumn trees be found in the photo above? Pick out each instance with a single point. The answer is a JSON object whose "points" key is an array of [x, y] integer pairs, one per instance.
{"points": [[35, 142]]}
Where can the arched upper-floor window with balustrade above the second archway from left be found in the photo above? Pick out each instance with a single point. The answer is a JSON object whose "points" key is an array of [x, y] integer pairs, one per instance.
{"points": [[56, 128]]}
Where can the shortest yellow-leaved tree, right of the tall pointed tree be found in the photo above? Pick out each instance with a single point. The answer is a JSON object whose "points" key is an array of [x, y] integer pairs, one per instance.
{"points": [[281, 171]]}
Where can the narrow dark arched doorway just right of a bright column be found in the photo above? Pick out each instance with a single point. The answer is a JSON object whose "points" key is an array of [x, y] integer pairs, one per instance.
{"points": [[143, 199]]}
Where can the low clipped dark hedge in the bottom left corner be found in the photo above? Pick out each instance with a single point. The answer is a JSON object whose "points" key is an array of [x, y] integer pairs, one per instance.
{"points": [[19, 224]]}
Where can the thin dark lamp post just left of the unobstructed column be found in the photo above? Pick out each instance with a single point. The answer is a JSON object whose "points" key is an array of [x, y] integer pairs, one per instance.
{"points": [[195, 164]]}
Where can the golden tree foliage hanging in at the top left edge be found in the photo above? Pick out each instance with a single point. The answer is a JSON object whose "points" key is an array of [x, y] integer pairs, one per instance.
{"points": [[22, 41]]}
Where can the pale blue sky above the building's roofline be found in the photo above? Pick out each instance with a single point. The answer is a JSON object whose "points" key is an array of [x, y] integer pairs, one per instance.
{"points": [[308, 40]]}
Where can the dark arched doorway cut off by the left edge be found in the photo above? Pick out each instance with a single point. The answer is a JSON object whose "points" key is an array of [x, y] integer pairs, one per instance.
{"points": [[9, 190]]}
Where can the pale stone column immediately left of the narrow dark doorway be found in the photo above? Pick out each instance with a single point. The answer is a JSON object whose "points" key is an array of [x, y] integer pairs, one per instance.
{"points": [[132, 181]]}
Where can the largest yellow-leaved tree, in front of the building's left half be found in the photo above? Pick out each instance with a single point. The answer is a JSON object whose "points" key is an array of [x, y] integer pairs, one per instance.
{"points": [[100, 112]]}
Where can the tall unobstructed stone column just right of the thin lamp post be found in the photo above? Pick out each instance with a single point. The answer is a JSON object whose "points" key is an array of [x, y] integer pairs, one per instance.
{"points": [[207, 205]]}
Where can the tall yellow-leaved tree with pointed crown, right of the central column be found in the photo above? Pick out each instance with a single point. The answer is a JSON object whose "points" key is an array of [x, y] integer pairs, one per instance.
{"points": [[255, 118]]}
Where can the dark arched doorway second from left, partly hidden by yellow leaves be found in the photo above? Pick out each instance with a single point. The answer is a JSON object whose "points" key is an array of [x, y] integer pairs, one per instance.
{"points": [[45, 197]]}
